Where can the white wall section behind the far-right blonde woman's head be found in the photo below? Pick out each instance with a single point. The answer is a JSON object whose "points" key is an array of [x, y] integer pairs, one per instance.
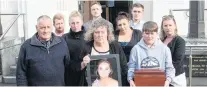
{"points": [[163, 7]]}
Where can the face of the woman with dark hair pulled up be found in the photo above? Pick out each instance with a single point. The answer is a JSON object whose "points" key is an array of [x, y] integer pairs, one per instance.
{"points": [[123, 24]]}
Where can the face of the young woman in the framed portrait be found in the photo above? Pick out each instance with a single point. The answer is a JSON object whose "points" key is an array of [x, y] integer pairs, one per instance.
{"points": [[104, 70]]}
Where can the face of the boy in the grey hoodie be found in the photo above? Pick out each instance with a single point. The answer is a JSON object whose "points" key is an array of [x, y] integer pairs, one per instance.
{"points": [[149, 37]]}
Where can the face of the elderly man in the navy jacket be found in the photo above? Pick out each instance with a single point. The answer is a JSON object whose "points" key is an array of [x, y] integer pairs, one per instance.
{"points": [[44, 29]]}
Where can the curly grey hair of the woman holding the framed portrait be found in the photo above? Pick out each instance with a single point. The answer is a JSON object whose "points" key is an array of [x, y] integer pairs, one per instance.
{"points": [[95, 25]]}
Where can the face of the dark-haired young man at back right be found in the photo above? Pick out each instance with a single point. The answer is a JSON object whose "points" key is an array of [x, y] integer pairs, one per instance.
{"points": [[137, 13]]}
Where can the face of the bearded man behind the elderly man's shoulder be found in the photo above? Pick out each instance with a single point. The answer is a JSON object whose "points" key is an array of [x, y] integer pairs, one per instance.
{"points": [[59, 25]]}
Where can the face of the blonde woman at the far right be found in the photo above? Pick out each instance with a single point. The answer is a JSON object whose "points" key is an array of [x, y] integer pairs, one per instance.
{"points": [[169, 27]]}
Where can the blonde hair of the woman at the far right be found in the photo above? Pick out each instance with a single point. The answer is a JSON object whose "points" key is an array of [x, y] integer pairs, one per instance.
{"points": [[164, 18]]}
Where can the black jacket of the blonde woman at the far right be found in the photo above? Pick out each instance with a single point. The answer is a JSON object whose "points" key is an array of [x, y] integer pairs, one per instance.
{"points": [[177, 48]]}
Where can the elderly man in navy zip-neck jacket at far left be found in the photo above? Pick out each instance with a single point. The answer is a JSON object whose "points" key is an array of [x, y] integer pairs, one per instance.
{"points": [[43, 58]]}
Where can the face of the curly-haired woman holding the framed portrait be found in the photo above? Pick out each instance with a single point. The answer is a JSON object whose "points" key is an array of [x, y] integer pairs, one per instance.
{"points": [[100, 34]]}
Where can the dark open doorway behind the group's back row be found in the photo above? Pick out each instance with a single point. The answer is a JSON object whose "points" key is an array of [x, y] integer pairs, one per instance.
{"points": [[110, 9]]}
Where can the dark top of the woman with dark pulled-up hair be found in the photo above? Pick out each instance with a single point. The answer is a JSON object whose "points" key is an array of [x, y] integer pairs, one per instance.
{"points": [[136, 36]]}
